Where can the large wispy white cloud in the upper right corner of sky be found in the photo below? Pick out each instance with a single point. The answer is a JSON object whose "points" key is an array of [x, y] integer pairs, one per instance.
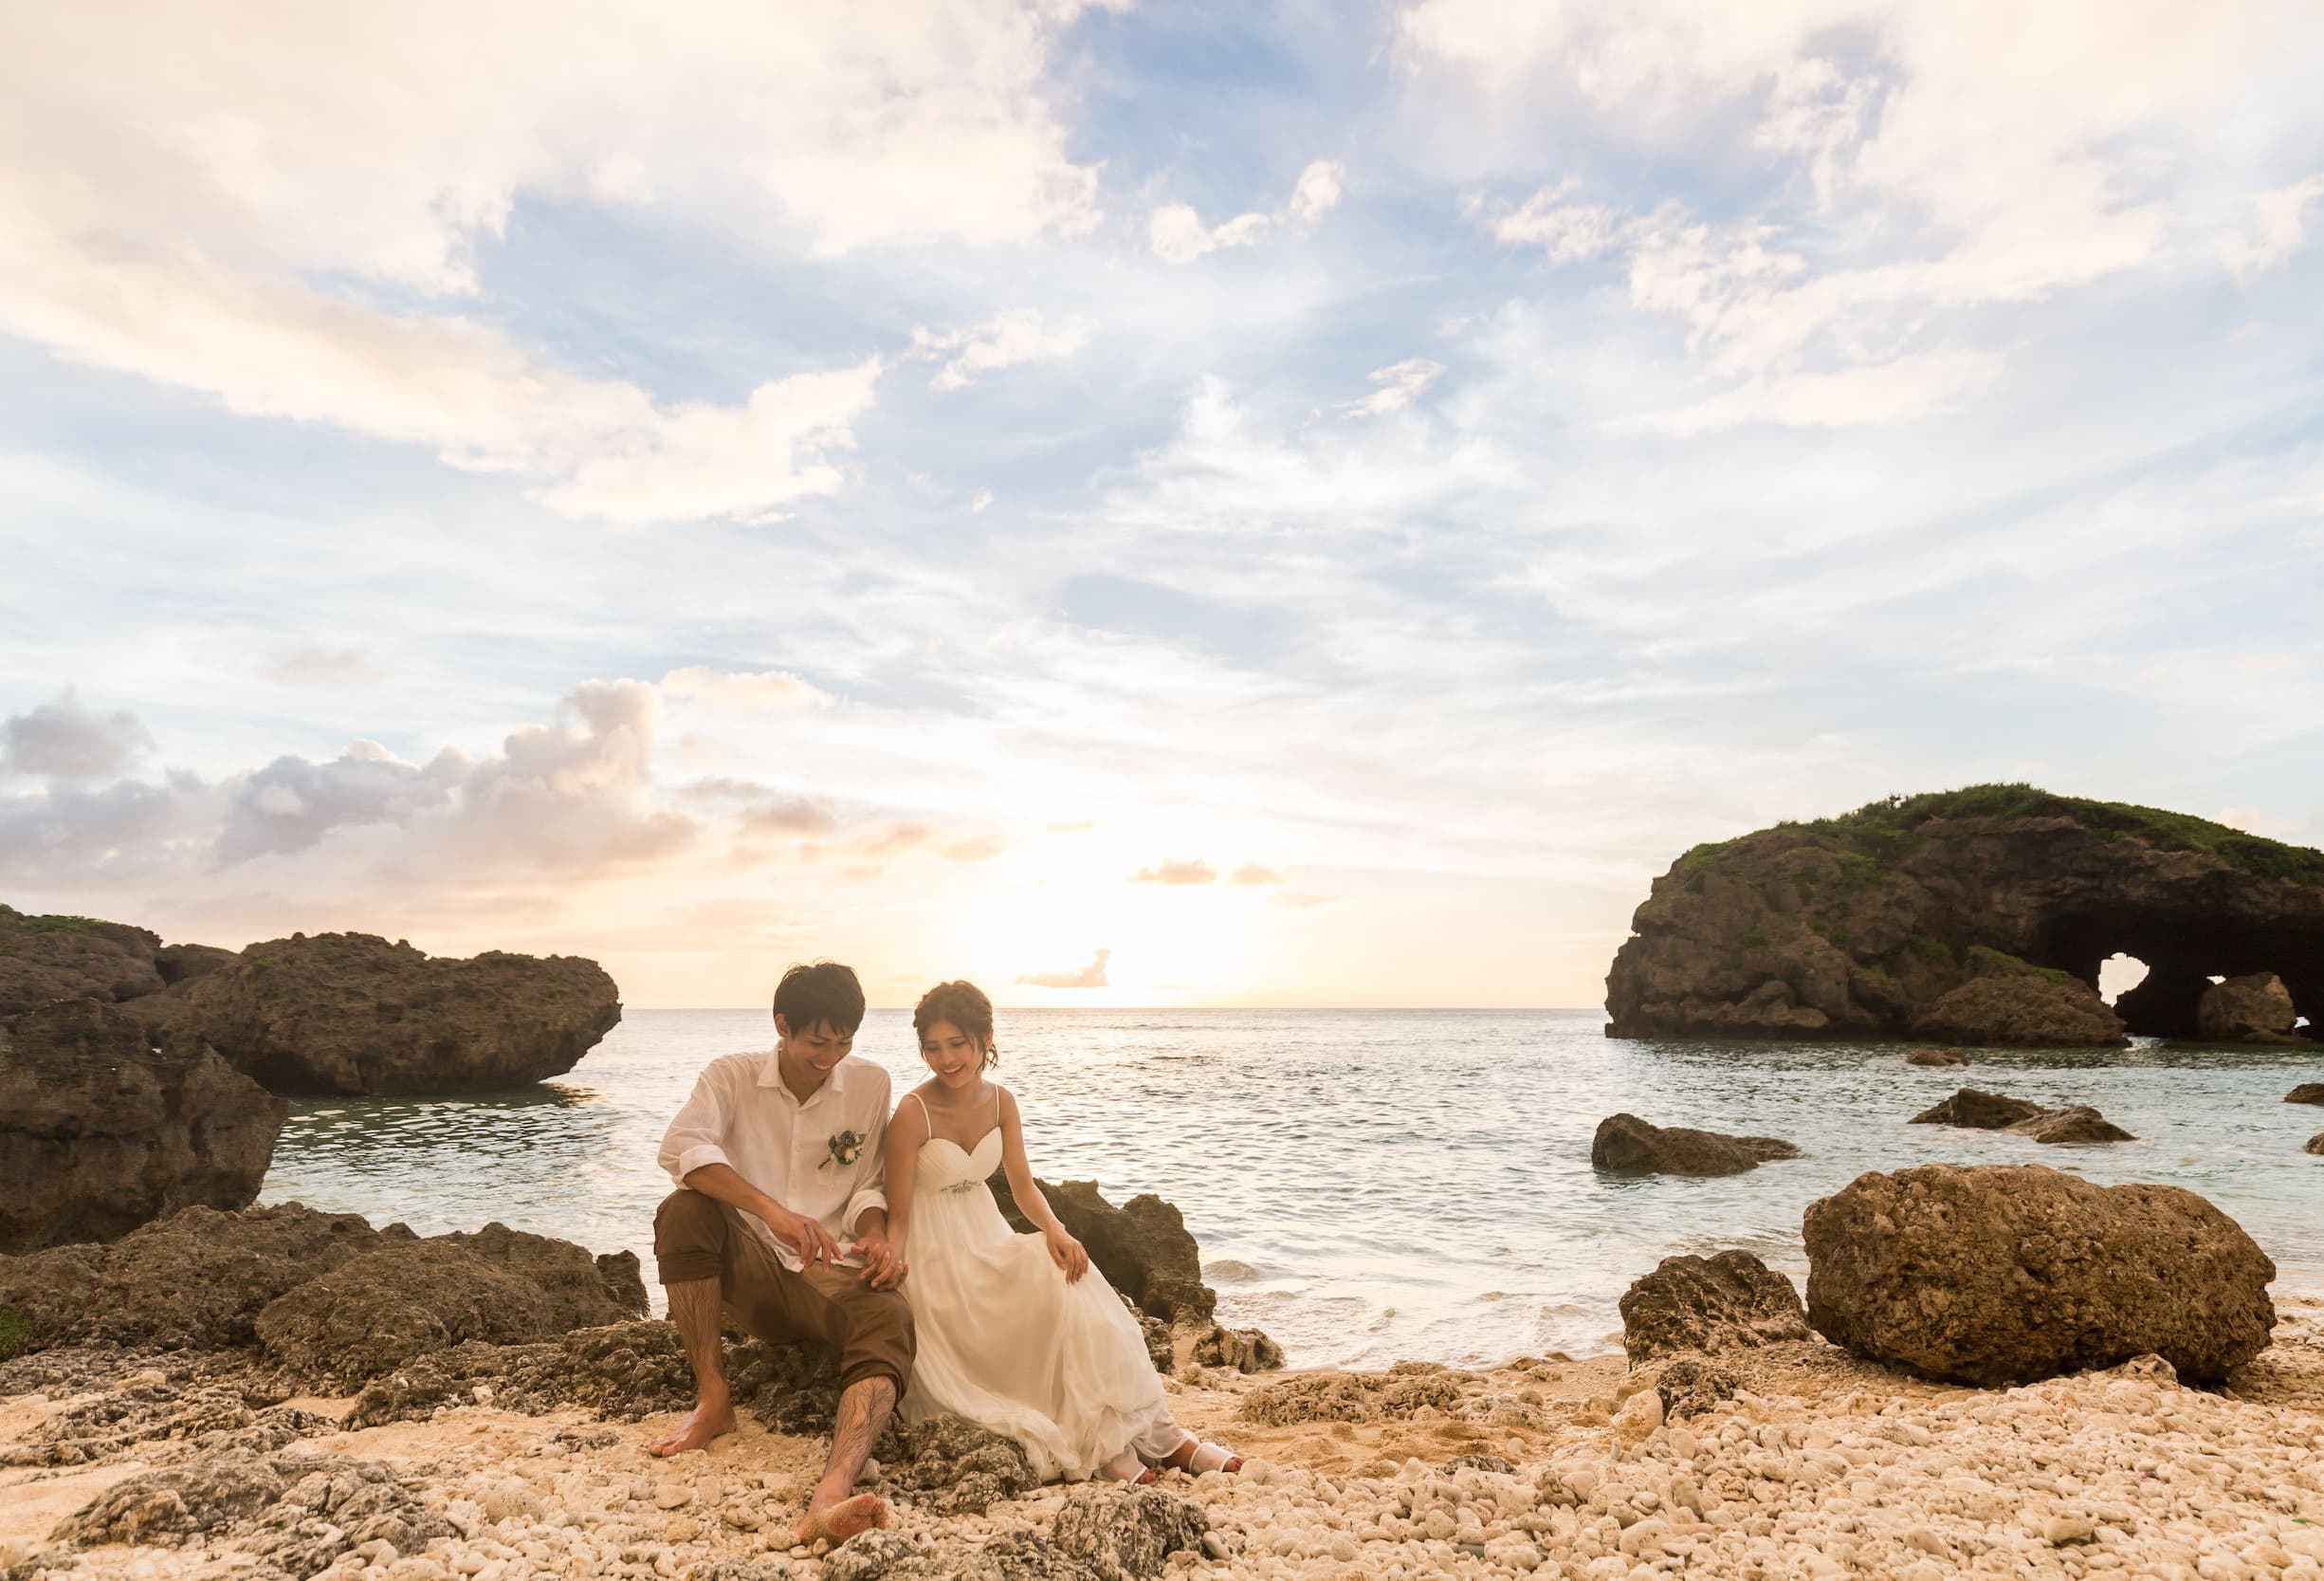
{"points": [[1914, 185]]}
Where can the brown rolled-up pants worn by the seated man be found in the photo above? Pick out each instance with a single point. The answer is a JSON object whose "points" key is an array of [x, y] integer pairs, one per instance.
{"points": [[701, 1238]]}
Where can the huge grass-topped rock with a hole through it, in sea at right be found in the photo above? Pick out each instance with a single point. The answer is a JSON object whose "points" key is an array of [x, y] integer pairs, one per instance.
{"points": [[1981, 915]]}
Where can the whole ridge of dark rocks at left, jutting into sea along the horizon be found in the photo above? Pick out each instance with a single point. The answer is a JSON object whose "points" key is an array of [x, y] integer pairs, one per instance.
{"points": [[338, 1013]]}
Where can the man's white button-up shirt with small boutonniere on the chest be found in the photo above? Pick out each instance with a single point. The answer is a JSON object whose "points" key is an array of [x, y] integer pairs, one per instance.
{"points": [[740, 1115]]}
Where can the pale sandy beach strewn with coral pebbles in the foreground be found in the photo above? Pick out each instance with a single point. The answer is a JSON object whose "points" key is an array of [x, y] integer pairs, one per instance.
{"points": [[1821, 1466]]}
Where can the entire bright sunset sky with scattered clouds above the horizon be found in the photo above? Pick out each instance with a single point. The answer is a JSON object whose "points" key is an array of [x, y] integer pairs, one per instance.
{"points": [[1131, 506]]}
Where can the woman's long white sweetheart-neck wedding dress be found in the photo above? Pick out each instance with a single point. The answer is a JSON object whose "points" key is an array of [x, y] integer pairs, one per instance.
{"points": [[1007, 1343]]}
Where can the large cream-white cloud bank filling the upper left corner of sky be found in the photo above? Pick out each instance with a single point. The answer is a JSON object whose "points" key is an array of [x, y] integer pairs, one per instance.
{"points": [[285, 227]]}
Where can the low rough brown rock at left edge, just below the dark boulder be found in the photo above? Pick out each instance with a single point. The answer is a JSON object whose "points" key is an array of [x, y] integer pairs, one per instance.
{"points": [[192, 1280]]}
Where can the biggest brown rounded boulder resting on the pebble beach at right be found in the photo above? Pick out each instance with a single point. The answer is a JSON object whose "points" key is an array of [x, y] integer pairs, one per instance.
{"points": [[2018, 1273]]}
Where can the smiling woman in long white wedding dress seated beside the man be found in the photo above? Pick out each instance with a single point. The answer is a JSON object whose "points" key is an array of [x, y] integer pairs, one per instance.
{"points": [[1014, 1333]]}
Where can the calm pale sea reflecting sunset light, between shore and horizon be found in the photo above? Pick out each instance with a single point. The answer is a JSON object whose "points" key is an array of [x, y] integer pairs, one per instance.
{"points": [[1368, 1187]]}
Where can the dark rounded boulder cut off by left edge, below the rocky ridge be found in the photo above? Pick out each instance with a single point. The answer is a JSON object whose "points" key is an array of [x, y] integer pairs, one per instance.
{"points": [[101, 1131]]}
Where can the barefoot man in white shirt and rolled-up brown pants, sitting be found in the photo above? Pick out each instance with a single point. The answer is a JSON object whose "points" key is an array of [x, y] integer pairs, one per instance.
{"points": [[777, 1161]]}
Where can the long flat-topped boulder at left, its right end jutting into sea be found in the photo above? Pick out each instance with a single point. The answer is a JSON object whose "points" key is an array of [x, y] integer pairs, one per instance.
{"points": [[347, 1013]]}
